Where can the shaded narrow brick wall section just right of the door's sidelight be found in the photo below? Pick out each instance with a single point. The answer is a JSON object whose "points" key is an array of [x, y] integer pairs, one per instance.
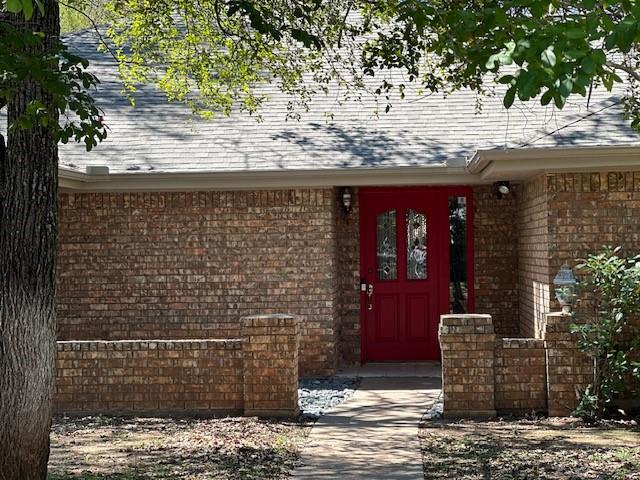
{"points": [[495, 251]]}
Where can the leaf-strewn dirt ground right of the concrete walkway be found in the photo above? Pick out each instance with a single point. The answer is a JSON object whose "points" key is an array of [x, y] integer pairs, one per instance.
{"points": [[545, 449]]}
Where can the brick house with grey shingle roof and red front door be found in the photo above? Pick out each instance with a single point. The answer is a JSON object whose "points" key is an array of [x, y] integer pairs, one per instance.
{"points": [[366, 227]]}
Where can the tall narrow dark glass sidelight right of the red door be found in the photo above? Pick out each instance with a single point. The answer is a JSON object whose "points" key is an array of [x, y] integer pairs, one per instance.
{"points": [[458, 287]]}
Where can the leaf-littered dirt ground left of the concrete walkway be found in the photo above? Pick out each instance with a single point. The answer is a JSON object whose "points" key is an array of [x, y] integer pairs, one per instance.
{"points": [[117, 448]]}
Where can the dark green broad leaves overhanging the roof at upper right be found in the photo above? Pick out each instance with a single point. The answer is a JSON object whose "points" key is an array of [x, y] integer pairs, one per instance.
{"points": [[540, 49]]}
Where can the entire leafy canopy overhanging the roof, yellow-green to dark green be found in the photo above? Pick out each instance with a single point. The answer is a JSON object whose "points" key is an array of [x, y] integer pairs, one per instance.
{"points": [[213, 53]]}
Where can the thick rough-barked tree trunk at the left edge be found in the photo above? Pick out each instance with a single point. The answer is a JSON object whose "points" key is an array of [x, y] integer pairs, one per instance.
{"points": [[28, 240]]}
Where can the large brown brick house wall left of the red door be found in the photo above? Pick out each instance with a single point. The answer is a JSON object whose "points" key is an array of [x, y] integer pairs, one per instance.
{"points": [[189, 265]]}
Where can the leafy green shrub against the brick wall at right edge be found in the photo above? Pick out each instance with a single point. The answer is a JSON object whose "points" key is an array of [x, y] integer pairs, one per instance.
{"points": [[613, 292]]}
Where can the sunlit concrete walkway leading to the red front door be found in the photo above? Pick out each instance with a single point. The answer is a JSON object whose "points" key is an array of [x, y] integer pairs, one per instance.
{"points": [[373, 435]]}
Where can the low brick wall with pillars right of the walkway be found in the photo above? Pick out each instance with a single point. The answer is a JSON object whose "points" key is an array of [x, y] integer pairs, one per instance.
{"points": [[485, 376]]}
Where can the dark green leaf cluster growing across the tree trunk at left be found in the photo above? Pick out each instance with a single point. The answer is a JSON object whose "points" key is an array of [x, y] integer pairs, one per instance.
{"points": [[69, 109]]}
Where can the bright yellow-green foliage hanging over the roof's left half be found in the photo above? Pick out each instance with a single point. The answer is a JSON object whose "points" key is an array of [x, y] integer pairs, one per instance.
{"points": [[214, 55]]}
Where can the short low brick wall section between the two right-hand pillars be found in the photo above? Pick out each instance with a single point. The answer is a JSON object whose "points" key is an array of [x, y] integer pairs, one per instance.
{"points": [[520, 380]]}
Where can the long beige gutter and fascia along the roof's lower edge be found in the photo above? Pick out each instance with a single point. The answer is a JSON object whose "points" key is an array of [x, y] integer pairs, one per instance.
{"points": [[485, 166]]}
